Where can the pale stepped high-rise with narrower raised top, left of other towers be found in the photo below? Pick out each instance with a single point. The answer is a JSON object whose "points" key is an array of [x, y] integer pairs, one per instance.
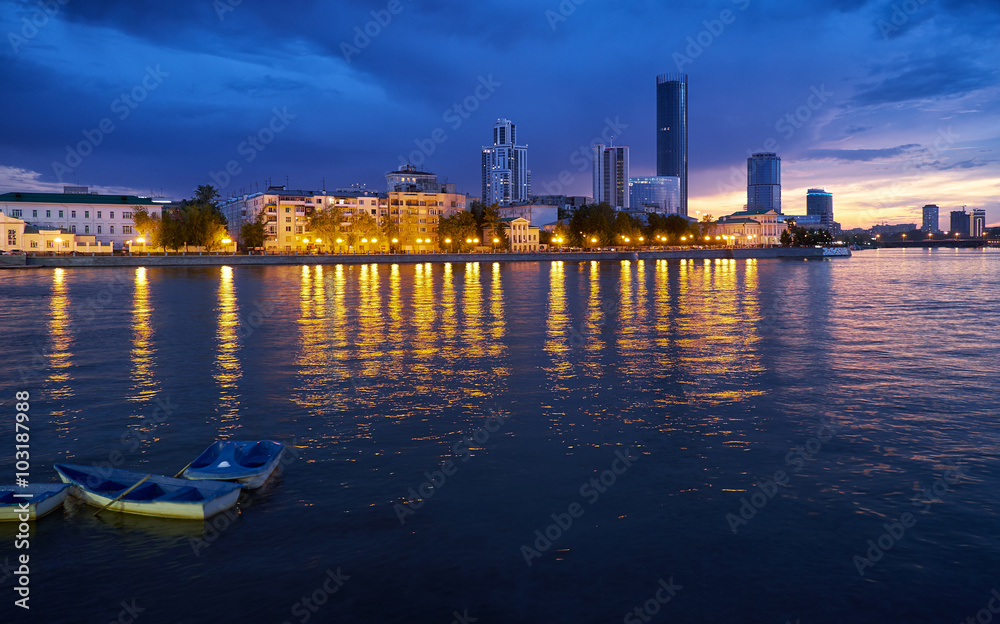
{"points": [[505, 167]]}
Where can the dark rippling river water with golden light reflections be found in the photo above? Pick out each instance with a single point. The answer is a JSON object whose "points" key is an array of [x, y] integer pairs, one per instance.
{"points": [[664, 441]]}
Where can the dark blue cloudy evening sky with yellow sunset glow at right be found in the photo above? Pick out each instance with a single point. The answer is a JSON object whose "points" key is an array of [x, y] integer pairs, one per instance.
{"points": [[892, 104]]}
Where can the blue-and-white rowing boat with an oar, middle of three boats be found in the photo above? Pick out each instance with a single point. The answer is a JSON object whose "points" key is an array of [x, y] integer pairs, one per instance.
{"points": [[160, 496]]}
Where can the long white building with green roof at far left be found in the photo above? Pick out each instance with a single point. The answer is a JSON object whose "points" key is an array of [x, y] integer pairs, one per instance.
{"points": [[108, 218]]}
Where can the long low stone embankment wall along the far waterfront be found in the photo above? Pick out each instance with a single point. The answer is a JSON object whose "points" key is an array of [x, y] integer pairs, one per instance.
{"points": [[775, 253]]}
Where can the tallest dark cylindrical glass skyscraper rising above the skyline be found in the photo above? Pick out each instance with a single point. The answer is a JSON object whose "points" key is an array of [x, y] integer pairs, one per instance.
{"points": [[671, 130]]}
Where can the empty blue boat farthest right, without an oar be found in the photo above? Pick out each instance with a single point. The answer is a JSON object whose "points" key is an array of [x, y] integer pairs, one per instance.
{"points": [[249, 463]]}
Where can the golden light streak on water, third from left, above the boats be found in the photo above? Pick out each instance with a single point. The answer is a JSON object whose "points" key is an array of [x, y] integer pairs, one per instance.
{"points": [[228, 370]]}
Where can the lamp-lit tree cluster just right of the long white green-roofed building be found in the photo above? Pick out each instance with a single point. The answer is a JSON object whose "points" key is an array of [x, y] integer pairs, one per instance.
{"points": [[195, 222]]}
